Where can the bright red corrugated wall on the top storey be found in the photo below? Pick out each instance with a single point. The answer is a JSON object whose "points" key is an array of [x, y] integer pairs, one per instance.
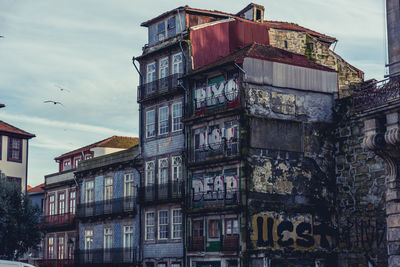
{"points": [[219, 40]]}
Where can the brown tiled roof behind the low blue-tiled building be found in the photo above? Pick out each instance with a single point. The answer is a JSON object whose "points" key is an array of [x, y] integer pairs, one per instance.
{"points": [[113, 142]]}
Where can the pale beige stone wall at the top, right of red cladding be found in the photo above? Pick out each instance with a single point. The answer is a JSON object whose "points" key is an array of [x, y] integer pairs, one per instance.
{"points": [[302, 43]]}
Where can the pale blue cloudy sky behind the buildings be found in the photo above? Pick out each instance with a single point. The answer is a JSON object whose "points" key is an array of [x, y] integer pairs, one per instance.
{"points": [[86, 47]]}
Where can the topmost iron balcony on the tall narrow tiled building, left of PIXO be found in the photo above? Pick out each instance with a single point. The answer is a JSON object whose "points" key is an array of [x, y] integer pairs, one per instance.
{"points": [[159, 87]]}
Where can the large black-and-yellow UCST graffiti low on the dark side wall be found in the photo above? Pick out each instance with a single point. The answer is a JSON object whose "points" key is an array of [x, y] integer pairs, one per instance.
{"points": [[270, 231]]}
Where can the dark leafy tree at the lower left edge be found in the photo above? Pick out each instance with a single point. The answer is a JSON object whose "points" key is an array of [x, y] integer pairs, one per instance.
{"points": [[19, 229]]}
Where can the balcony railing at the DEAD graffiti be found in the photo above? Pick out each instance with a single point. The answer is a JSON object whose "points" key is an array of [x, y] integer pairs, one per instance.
{"points": [[221, 198]]}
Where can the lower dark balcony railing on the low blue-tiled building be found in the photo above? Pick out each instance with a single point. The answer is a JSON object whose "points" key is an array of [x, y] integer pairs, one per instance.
{"points": [[105, 256]]}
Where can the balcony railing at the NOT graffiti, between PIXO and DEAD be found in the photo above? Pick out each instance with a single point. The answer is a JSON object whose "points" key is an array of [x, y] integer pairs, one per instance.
{"points": [[220, 149]]}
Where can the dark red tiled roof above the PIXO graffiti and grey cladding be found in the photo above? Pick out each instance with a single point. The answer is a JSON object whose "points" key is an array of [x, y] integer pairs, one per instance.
{"points": [[265, 52]]}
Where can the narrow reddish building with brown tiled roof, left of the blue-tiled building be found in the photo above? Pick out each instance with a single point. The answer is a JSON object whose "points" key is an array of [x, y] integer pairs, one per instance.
{"points": [[61, 199]]}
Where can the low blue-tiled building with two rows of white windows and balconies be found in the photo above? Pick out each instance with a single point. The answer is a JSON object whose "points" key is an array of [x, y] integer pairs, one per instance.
{"points": [[108, 212]]}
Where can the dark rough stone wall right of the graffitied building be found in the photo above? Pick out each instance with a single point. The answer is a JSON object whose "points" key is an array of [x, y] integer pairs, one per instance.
{"points": [[360, 178]]}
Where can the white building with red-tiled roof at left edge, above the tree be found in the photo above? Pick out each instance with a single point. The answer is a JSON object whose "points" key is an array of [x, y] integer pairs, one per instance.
{"points": [[14, 154]]}
